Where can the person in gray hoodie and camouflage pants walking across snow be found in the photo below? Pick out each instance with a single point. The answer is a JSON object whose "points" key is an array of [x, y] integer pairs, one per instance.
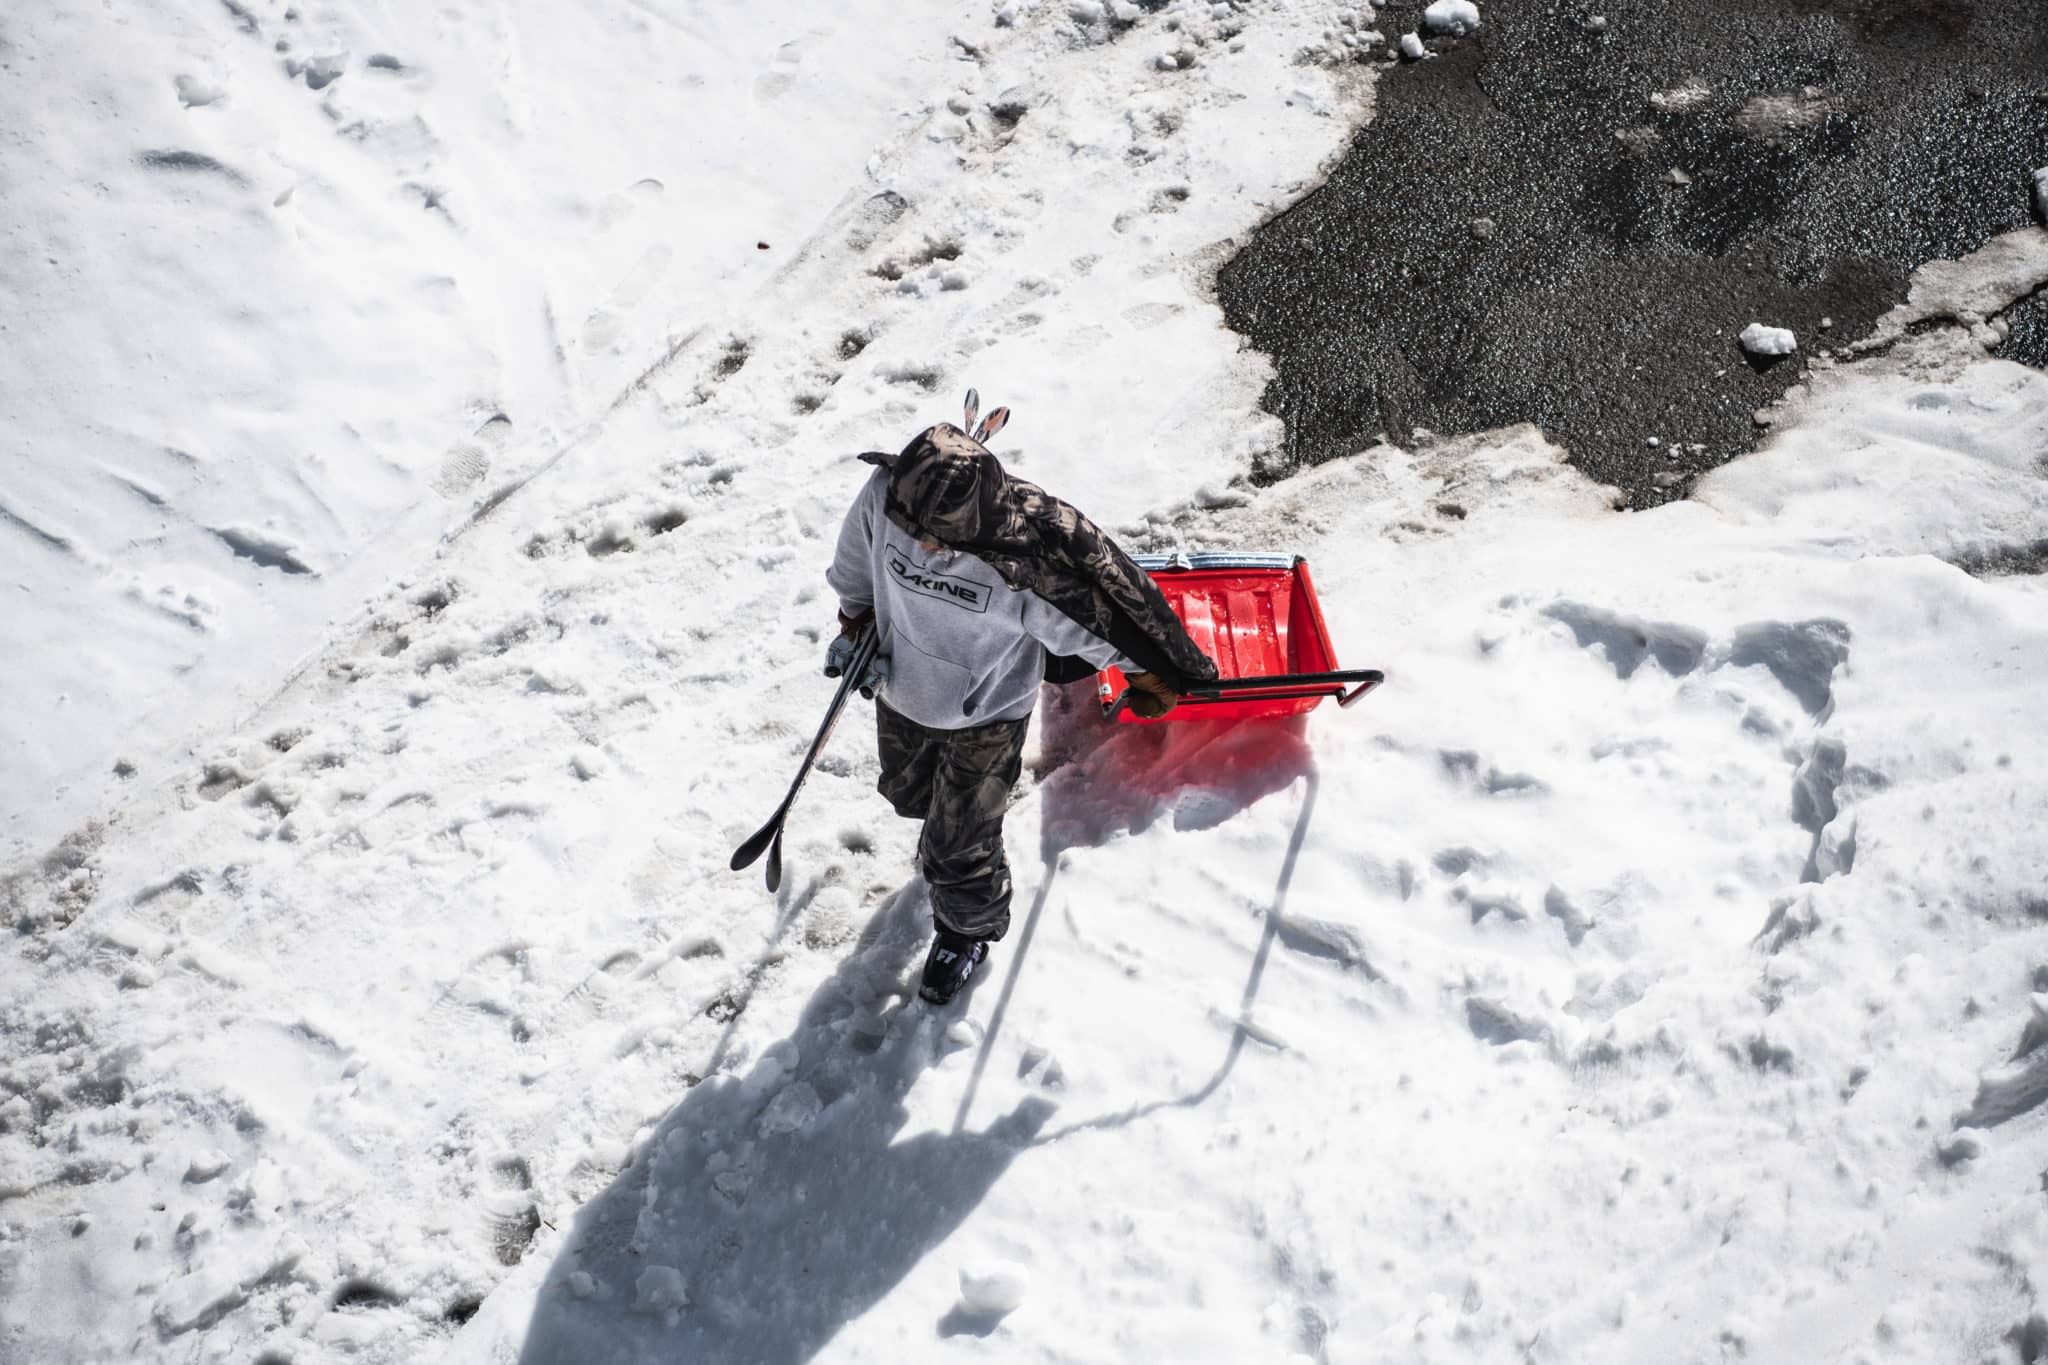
{"points": [[982, 586]]}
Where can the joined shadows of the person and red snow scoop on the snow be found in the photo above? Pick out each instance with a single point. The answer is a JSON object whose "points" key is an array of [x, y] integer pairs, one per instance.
{"points": [[771, 1210]]}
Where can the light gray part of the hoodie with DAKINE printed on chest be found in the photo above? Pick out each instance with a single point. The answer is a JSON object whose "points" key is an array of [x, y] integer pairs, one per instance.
{"points": [[964, 646]]}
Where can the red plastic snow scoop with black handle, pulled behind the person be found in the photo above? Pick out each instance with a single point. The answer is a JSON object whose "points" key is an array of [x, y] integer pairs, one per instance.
{"points": [[1258, 619]]}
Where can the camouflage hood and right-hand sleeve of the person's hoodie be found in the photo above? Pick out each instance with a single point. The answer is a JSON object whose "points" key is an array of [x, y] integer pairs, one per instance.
{"points": [[945, 486]]}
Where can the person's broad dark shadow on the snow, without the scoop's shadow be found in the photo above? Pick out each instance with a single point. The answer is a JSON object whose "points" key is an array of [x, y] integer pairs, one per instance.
{"points": [[783, 1200]]}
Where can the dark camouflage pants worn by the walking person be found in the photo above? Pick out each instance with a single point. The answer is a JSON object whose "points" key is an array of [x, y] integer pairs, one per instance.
{"points": [[959, 785]]}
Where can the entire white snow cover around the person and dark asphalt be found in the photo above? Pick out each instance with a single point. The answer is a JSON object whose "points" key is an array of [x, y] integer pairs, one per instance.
{"points": [[1650, 971]]}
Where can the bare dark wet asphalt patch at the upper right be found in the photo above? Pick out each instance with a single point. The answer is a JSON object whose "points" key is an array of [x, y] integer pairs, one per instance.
{"points": [[1570, 216]]}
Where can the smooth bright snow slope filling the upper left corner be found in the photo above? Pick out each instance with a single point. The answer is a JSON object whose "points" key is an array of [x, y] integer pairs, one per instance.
{"points": [[296, 288]]}
